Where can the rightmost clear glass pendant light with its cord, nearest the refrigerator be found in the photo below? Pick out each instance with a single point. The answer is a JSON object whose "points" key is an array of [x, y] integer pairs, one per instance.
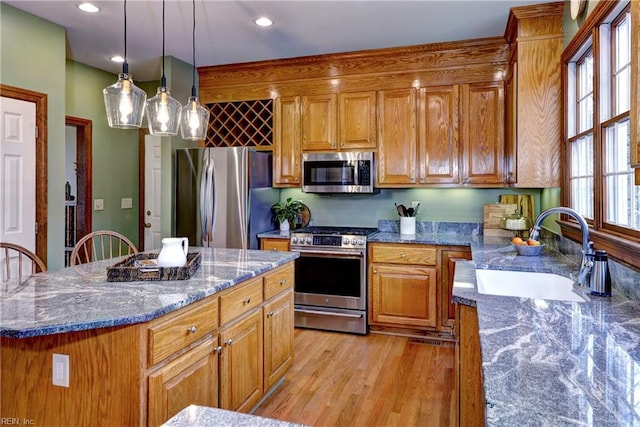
{"points": [[195, 118]]}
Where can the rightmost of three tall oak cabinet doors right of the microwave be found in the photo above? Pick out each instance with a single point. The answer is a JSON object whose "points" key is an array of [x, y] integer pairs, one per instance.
{"points": [[482, 133]]}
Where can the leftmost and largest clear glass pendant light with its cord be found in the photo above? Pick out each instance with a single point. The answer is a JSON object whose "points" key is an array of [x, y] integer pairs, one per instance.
{"points": [[123, 100]]}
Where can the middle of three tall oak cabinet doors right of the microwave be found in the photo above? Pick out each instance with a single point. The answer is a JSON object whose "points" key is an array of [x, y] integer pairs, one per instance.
{"points": [[439, 135]]}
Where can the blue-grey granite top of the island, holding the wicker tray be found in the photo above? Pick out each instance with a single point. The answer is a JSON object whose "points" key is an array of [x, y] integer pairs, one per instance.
{"points": [[80, 297]]}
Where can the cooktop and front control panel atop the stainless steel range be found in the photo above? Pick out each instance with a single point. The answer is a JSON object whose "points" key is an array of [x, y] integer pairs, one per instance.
{"points": [[331, 237]]}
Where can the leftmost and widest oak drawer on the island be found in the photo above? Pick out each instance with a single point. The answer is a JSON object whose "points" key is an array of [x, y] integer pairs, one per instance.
{"points": [[181, 329]]}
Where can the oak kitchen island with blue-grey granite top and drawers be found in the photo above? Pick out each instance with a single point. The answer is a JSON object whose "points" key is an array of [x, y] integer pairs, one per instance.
{"points": [[132, 353]]}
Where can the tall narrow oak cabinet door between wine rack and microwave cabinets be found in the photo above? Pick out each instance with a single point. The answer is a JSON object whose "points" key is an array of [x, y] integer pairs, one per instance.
{"points": [[287, 152]]}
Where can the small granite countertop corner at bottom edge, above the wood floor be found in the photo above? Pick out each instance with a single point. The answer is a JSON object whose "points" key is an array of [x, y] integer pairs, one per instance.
{"points": [[202, 416]]}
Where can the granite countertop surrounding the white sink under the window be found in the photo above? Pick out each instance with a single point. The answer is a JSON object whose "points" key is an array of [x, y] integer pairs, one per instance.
{"points": [[554, 363]]}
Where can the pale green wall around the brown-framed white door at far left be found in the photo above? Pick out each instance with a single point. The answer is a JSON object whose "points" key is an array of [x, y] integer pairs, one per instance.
{"points": [[33, 58]]}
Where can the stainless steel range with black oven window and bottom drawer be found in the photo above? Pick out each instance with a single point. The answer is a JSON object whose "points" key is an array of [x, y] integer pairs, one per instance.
{"points": [[331, 278]]}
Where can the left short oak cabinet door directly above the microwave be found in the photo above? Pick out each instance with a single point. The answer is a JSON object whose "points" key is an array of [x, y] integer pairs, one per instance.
{"points": [[320, 122]]}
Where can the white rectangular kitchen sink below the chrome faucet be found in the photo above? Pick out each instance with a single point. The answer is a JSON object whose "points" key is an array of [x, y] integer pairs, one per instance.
{"points": [[526, 284]]}
